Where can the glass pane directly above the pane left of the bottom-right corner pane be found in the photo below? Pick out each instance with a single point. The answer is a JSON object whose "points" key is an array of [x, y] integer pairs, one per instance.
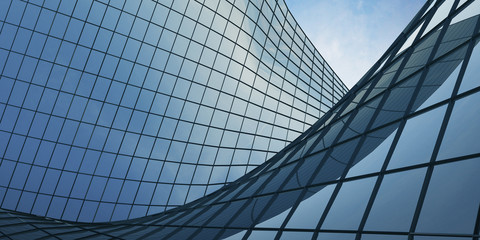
{"points": [[418, 139]]}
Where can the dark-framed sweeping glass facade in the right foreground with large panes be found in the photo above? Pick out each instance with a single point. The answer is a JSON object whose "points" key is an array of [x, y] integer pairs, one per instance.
{"points": [[396, 158]]}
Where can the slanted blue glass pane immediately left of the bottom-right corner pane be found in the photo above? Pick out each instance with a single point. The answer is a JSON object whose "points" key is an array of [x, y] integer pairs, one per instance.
{"points": [[396, 201]]}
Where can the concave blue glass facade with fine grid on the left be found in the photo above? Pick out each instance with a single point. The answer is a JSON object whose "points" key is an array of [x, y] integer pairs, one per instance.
{"points": [[112, 110]]}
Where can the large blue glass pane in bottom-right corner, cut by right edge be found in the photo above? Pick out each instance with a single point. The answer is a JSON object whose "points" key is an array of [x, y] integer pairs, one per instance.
{"points": [[452, 201]]}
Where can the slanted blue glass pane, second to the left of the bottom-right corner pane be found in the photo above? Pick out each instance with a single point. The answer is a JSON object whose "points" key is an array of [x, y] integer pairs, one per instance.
{"points": [[346, 214]]}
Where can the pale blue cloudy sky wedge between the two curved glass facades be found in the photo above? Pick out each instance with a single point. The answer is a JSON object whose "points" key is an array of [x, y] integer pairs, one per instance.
{"points": [[353, 34]]}
